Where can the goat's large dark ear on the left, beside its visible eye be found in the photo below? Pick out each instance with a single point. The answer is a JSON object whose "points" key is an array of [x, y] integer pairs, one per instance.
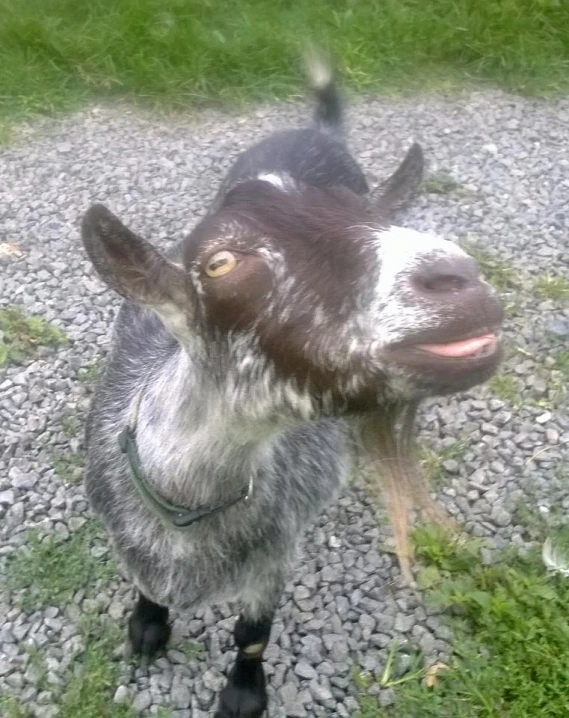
{"points": [[130, 265]]}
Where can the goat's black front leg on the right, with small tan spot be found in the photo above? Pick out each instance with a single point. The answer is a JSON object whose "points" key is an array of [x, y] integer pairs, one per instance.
{"points": [[245, 695]]}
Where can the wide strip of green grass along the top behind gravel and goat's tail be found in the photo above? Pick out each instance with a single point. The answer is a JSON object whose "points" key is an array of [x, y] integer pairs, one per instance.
{"points": [[178, 53]]}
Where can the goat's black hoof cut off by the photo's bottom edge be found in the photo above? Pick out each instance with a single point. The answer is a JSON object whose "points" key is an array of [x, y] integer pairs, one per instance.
{"points": [[245, 695]]}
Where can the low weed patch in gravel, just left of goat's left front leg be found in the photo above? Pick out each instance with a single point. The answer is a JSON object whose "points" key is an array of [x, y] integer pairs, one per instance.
{"points": [[51, 571]]}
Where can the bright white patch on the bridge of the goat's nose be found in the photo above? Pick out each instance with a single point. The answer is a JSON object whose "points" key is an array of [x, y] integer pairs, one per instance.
{"points": [[401, 250]]}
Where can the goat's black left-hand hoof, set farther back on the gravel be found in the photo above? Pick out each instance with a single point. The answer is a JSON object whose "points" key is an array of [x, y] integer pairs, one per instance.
{"points": [[148, 629]]}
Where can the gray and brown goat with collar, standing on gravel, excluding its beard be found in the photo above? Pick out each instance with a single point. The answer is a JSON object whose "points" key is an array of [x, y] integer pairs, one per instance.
{"points": [[243, 365]]}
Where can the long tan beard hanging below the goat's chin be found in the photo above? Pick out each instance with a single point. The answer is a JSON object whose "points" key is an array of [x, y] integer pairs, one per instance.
{"points": [[388, 439]]}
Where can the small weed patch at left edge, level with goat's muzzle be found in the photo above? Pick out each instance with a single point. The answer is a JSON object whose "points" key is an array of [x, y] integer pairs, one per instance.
{"points": [[21, 335]]}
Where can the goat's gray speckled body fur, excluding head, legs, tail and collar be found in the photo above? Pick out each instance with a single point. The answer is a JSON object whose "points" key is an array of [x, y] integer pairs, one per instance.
{"points": [[204, 428]]}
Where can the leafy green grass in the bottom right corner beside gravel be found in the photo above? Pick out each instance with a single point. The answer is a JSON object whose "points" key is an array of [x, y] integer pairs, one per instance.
{"points": [[511, 637]]}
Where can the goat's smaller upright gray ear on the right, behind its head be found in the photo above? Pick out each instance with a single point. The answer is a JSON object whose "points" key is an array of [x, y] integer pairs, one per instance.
{"points": [[399, 190]]}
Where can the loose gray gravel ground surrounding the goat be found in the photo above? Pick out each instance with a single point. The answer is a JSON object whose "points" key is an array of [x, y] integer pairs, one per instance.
{"points": [[509, 158]]}
